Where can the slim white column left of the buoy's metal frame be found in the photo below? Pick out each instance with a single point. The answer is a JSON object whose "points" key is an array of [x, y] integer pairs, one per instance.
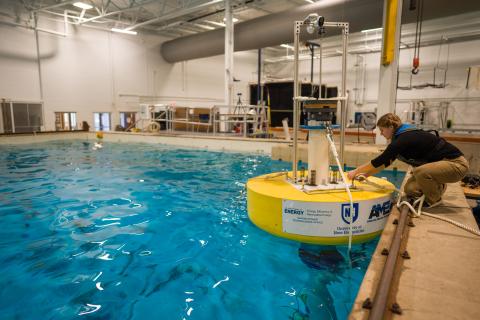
{"points": [[228, 53]]}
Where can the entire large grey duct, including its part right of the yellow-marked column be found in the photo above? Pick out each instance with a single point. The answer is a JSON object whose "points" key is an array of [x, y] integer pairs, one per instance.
{"points": [[275, 29]]}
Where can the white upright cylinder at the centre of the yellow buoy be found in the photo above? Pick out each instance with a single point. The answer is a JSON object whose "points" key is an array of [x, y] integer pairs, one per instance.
{"points": [[318, 152]]}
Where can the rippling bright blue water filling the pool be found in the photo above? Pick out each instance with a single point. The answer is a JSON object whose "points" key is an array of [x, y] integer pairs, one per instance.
{"points": [[148, 231]]}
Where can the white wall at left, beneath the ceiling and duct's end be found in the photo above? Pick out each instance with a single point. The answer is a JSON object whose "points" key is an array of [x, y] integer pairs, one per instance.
{"points": [[93, 70]]}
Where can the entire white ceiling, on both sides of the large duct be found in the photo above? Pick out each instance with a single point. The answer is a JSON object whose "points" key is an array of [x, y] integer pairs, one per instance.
{"points": [[177, 18]]}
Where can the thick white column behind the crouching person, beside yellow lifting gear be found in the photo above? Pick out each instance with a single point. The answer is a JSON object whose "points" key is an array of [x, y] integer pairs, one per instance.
{"points": [[387, 87]]}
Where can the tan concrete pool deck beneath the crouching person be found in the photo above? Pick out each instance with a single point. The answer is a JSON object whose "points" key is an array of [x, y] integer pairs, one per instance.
{"points": [[441, 280]]}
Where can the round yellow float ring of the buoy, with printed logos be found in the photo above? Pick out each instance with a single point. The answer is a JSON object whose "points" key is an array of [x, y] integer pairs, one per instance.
{"points": [[272, 201]]}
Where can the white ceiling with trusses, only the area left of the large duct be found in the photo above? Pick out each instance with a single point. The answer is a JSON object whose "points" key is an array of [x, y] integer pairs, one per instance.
{"points": [[170, 18]]}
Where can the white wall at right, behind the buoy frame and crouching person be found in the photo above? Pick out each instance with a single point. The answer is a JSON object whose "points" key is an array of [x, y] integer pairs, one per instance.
{"points": [[460, 57]]}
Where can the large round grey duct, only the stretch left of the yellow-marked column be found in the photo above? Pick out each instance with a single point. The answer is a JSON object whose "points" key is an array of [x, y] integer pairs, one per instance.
{"points": [[270, 30]]}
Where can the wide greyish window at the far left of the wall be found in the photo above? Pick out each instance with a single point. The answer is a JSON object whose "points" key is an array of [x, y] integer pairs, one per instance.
{"points": [[22, 117]]}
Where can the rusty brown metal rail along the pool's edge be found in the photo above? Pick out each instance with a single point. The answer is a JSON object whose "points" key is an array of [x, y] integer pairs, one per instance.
{"points": [[383, 288]]}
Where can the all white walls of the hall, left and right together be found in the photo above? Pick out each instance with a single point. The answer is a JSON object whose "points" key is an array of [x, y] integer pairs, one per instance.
{"points": [[93, 70]]}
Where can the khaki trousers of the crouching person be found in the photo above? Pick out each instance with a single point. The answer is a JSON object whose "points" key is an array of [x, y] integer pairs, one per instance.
{"points": [[430, 178]]}
